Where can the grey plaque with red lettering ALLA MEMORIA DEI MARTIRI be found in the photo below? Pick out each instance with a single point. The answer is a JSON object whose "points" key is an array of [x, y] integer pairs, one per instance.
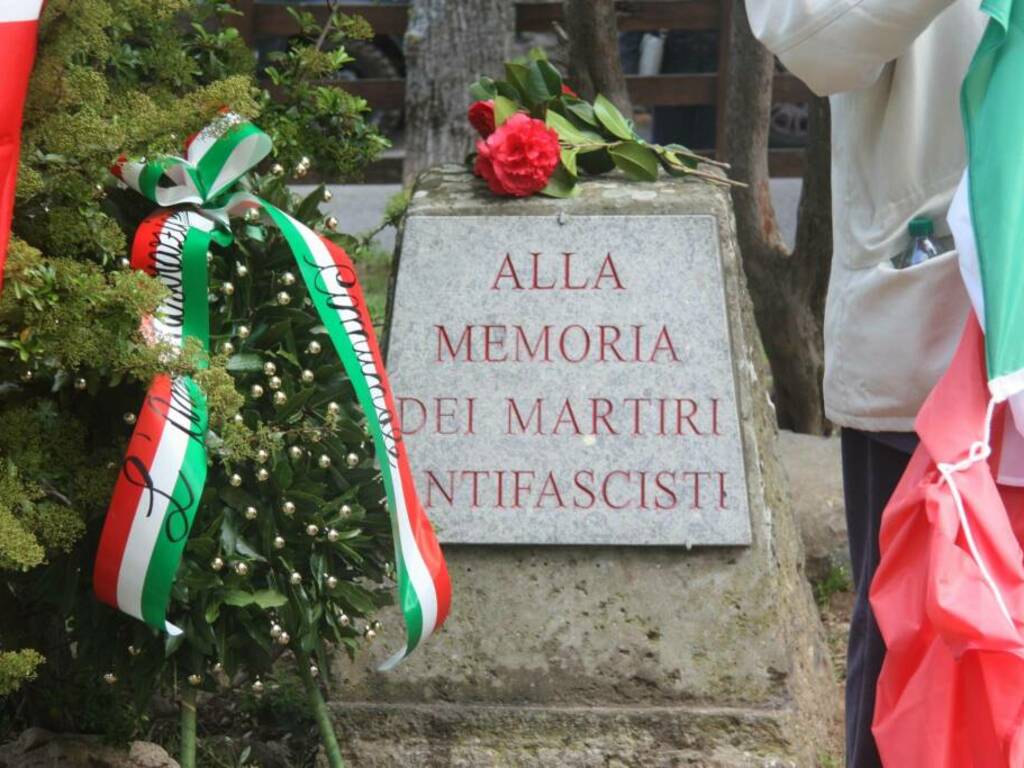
{"points": [[570, 380]]}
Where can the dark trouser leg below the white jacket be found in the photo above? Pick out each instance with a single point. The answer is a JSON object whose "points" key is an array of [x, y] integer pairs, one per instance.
{"points": [[873, 466]]}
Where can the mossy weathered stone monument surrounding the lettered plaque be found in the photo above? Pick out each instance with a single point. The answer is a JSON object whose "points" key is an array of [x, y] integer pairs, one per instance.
{"points": [[588, 656]]}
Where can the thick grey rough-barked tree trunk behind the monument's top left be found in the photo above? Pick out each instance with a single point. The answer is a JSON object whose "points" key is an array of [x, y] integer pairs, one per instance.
{"points": [[449, 45]]}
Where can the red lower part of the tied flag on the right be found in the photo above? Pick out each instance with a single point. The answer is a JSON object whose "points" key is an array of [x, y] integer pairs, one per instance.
{"points": [[949, 595]]}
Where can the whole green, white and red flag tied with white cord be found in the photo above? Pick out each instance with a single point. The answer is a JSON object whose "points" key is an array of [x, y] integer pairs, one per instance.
{"points": [[949, 595]]}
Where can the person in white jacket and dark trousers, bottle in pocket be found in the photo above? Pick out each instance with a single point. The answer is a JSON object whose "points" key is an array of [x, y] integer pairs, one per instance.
{"points": [[893, 71]]}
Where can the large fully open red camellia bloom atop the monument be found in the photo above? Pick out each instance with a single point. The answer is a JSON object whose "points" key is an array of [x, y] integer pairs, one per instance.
{"points": [[519, 159]]}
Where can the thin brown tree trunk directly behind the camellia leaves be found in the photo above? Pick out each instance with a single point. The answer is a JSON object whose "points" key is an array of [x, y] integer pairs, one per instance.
{"points": [[595, 66]]}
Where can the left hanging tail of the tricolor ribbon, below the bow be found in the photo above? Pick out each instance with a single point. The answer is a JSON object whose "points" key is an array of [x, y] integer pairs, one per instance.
{"points": [[164, 472]]}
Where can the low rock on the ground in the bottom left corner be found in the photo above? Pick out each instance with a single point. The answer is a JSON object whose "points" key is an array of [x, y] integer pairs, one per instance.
{"points": [[39, 749]]}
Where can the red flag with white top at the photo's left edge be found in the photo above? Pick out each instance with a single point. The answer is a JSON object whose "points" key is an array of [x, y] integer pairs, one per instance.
{"points": [[19, 29]]}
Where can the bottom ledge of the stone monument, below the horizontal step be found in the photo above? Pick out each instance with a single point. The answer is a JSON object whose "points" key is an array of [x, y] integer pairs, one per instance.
{"points": [[489, 737]]}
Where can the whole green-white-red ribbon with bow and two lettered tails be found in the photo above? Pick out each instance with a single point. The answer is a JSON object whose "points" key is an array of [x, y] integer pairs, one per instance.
{"points": [[172, 245]]}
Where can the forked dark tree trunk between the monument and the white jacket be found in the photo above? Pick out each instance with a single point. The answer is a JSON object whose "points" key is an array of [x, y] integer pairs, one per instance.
{"points": [[788, 288]]}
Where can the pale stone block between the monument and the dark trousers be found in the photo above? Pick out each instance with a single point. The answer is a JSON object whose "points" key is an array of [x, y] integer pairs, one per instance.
{"points": [[815, 467]]}
